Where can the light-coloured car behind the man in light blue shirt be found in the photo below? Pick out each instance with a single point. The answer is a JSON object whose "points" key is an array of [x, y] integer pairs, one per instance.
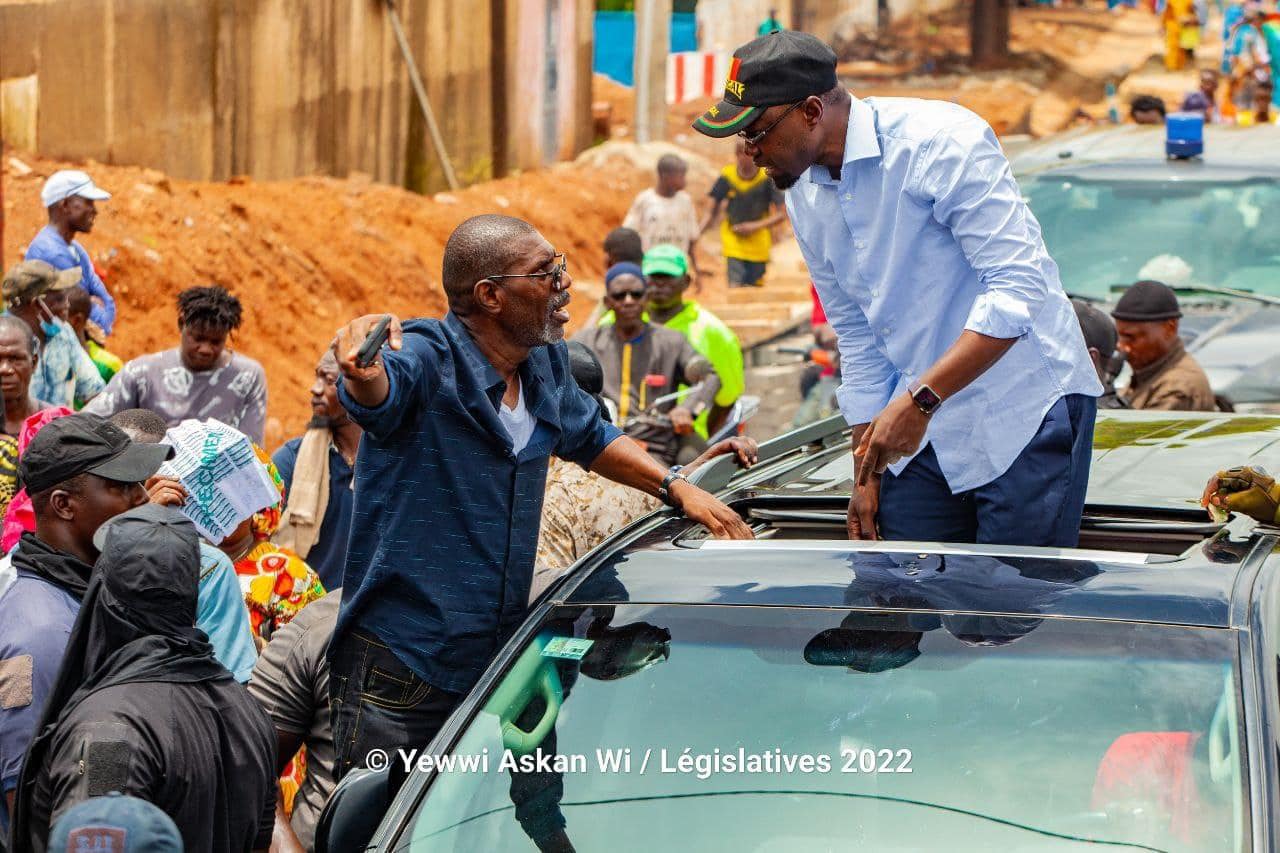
{"points": [[1114, 209]]}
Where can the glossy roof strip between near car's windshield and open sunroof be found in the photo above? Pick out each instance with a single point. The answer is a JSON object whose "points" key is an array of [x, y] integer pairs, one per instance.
{"points": [[920, 578]]}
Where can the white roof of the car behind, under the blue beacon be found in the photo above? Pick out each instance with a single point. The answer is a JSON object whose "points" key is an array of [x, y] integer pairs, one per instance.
{"points": [[1137, 153]]}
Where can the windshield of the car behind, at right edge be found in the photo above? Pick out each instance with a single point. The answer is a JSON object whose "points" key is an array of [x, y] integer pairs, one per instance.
{"points": [[1107, 234]]}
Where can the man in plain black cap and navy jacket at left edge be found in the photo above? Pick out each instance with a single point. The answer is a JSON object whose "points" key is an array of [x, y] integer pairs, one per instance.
{"points": [[80, 472]]}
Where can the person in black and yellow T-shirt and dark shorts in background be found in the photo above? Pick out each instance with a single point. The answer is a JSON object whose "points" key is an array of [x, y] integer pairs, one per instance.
{"points": [[753, 206]]}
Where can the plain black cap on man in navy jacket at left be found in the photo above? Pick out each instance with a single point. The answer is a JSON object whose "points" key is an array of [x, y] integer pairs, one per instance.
{"points": [[85, 444]]}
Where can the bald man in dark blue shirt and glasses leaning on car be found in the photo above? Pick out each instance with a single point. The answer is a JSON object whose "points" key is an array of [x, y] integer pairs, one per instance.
{"points": [[460, 418]]}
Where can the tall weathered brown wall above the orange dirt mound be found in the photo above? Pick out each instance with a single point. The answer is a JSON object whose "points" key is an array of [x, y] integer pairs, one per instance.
{"points": [[276, 89]]}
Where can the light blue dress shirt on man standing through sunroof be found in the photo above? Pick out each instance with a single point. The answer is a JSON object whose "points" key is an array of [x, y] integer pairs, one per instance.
{"points": [[924, 236]]}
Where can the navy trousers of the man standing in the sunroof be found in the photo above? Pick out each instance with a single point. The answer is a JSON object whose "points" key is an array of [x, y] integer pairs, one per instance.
{"points": [[1039, 501]]}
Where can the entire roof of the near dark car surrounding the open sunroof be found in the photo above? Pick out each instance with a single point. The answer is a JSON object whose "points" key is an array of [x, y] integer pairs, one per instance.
{"points": [[1154, 463]]}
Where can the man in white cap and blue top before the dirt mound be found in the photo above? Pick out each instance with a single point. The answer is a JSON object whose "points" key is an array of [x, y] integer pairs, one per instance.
{"points": [[70, 197]]}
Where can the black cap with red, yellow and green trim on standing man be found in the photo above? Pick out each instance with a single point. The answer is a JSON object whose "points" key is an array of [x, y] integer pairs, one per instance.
{"points": [[780, 69]]}
